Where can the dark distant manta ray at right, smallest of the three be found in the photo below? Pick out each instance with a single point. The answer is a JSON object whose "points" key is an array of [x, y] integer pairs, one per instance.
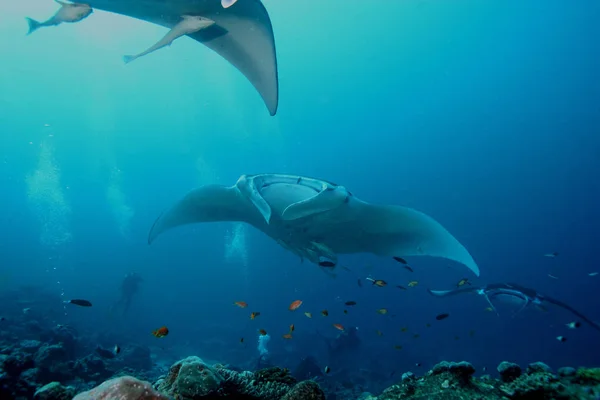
{"points": [[511, 291]]}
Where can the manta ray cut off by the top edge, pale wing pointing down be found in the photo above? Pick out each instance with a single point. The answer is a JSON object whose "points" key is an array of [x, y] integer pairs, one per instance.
{"points": [[242, 34]]}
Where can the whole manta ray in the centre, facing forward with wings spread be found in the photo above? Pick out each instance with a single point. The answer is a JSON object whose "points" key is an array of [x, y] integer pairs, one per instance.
{"points": [[316, 219]]}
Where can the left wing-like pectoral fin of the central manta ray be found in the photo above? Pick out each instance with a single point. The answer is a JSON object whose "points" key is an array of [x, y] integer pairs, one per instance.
{"points": [[209, 203]]}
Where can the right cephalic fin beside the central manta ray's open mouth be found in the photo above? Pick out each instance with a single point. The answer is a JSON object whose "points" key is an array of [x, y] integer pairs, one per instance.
{"points": [[328, 199]]}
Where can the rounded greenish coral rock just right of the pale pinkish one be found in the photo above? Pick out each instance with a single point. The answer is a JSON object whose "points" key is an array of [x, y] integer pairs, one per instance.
{"points": [[191, 378]]}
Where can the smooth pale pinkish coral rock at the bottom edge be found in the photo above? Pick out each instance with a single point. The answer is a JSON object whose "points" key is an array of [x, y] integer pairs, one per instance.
{"points": [[123, 388]]}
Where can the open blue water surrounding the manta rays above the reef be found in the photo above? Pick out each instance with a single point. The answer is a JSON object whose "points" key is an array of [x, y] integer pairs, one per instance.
{"points": [[484, 115]]}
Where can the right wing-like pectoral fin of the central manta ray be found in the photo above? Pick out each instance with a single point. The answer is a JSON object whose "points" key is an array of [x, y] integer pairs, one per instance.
{"points": [[402, 231]]}
